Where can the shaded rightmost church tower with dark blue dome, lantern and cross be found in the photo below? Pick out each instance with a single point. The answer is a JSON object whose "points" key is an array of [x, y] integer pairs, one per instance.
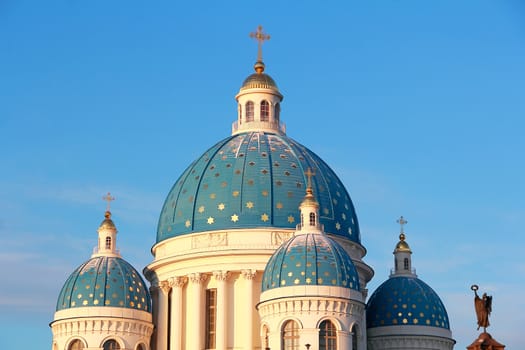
{"points": [[404, 312]]}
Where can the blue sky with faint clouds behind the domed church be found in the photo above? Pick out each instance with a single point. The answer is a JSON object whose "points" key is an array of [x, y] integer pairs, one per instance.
{"points": [[417, 105]]}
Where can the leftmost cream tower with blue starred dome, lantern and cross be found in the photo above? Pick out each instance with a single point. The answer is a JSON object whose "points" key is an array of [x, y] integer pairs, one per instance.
{"points": [[105, 303]]}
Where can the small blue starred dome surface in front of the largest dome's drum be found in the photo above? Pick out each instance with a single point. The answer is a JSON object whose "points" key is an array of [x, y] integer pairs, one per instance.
{"points": [[310, 259]]}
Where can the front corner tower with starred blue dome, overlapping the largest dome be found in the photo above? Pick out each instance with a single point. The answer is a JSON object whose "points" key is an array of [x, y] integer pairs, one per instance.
{"points": [[310, 291]]}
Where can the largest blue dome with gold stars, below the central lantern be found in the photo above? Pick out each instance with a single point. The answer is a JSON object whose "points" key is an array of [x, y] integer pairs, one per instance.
{"points": [[255, 180]]}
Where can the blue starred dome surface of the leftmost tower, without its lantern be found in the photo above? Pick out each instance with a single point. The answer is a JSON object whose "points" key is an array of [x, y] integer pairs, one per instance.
{"points": [[105, 281]]}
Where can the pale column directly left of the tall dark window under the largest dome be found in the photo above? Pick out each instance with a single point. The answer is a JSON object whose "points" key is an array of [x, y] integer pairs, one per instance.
{"points": [[195, 335]]}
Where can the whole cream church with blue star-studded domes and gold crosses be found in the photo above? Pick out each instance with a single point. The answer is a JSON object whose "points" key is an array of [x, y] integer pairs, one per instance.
{"points": [[258, 246]]}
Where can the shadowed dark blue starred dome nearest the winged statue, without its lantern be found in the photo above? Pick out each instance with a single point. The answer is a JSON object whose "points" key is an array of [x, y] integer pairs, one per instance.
{"points": [[405, 301]]}
